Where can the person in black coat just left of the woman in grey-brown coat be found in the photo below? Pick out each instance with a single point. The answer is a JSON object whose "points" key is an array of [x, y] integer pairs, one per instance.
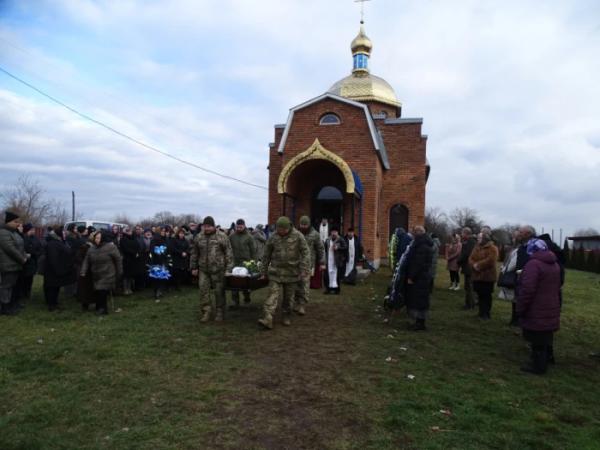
{"points": [[58, 267]]}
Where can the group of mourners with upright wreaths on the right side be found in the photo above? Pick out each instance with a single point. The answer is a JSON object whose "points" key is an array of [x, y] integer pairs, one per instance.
{"points": [[531, 278]]}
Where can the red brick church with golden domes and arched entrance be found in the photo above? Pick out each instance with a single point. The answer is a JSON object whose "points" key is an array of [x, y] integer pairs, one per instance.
{"points": [[348, 156]]}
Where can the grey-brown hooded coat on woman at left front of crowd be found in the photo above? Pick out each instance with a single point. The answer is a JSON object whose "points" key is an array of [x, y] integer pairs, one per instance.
{"points": [[106, 265]]}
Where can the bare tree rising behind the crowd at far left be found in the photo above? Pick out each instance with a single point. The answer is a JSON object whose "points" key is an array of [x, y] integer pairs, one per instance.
{"points": [[28, 198]]}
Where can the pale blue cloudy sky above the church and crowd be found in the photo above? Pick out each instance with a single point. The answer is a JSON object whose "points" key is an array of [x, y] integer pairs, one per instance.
{"points": [[509, 93]]}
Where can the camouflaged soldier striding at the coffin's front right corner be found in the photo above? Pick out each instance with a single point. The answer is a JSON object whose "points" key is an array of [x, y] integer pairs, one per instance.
{"points": [[286, 261]]}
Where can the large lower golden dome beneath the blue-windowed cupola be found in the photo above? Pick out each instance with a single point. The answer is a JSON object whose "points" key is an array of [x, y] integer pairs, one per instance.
{"points": [[362, 86]]}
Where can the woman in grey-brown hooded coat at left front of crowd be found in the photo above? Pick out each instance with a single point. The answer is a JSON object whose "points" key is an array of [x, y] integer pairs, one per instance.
{"points": [[104, 261]]}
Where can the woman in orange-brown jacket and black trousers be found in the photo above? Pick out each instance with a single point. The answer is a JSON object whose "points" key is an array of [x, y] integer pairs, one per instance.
{"points": [[483, 264]]}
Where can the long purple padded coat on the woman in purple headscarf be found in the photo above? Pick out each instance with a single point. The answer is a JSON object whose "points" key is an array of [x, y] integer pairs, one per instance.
{"points": [[538, 303]]}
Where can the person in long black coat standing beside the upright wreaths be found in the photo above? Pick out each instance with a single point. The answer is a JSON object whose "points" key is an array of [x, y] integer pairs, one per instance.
{"points": [[418, 277]]}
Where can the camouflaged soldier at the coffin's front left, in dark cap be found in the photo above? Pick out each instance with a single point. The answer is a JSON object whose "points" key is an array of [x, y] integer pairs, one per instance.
{"points": [[210, 259]]}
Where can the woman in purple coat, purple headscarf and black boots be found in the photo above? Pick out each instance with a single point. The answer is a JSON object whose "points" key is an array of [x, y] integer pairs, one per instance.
{"points": [[538, 304]]}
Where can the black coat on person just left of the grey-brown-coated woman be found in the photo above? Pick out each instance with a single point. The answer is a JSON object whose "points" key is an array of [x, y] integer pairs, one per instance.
{"points": [[59, 268]]}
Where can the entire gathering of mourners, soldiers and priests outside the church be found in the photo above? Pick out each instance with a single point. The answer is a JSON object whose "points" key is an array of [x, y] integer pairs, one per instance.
{"points": [[92, 265]]}
